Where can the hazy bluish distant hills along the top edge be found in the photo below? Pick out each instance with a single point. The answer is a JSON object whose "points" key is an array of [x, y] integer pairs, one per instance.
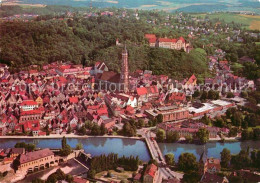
{"points": [[248, 6]]}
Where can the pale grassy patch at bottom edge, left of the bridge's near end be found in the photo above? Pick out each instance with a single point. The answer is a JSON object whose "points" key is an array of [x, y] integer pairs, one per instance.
{"points": [[115, 175]]}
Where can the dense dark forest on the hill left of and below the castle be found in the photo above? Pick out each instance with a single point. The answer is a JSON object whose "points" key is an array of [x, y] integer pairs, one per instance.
{"points": [[40, 42]]}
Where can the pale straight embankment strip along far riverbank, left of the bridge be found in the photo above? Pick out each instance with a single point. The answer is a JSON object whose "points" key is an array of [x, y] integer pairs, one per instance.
{"points": [[57, 136]]}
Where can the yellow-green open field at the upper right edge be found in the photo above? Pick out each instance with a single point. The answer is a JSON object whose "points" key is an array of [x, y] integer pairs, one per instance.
{"points": [[249, 21]]}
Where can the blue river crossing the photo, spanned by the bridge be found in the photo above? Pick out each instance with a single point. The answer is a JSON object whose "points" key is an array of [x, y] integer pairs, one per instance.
{"points": [[103, 145]]}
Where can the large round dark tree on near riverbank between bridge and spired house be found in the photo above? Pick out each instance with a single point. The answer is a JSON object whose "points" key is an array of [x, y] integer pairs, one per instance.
{"points": [[187, 162]]}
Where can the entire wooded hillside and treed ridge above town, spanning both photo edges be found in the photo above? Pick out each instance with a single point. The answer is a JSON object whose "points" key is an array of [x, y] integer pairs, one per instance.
{"points": [[55, 36]]}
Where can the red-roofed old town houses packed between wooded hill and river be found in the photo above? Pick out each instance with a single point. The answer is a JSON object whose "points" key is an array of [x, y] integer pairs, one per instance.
{"points": [[63, 96]]}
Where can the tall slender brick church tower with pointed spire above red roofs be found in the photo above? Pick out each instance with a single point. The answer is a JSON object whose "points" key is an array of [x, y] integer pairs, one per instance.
{"points": [[124, 70]]}
